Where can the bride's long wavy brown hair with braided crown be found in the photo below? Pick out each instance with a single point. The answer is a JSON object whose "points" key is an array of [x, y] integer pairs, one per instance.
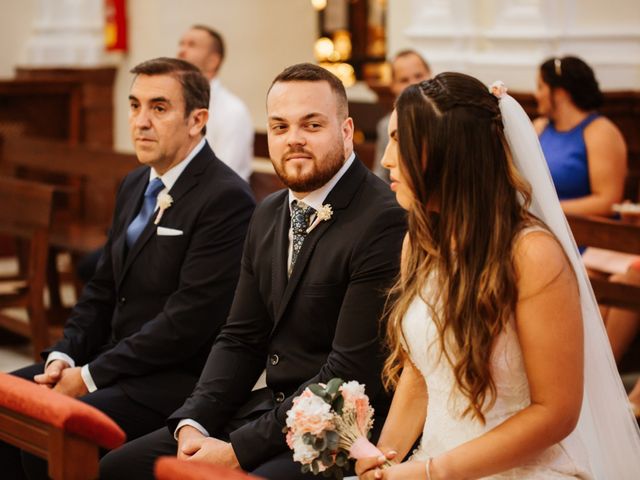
{"points": [[455, 160]]}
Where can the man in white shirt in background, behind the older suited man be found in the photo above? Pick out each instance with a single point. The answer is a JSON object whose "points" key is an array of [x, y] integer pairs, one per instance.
{"points": [[229, 128]]}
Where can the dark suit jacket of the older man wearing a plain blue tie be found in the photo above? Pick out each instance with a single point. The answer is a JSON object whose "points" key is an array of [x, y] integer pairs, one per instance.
{"points": [[147, 319]]}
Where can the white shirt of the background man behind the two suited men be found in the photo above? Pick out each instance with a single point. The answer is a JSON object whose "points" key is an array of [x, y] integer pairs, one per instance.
{"points": [[230, 130]]}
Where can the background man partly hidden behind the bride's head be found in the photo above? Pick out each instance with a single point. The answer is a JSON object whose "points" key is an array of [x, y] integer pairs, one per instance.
{"points": [[407, 67]]}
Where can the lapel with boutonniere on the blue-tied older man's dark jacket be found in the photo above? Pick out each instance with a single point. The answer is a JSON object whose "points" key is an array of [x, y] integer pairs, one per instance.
{"points": [[186, 181]]}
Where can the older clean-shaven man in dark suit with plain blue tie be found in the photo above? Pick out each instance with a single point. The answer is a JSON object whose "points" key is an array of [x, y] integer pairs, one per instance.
{"points": [[138, 337]]}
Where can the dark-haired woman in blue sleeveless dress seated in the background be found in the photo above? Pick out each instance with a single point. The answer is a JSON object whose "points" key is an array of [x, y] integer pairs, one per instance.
{"points": [[586, 152]]}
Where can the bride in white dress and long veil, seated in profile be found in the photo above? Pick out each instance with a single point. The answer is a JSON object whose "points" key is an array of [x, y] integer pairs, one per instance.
{"points": [[493, 313]]}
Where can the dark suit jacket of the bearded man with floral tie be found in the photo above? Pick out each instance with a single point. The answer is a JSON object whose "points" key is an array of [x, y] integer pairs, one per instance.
{"points": [[323, 322]]}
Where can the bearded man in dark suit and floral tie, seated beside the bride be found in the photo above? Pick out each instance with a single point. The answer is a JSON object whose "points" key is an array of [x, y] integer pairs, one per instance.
{"points": [[316, 263]]}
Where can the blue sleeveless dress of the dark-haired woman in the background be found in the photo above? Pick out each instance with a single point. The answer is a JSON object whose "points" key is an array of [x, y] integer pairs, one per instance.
{"points": [[566, 155]]}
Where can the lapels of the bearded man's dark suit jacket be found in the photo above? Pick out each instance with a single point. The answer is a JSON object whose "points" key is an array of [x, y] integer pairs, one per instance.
{"points": [[339, 199]]}
